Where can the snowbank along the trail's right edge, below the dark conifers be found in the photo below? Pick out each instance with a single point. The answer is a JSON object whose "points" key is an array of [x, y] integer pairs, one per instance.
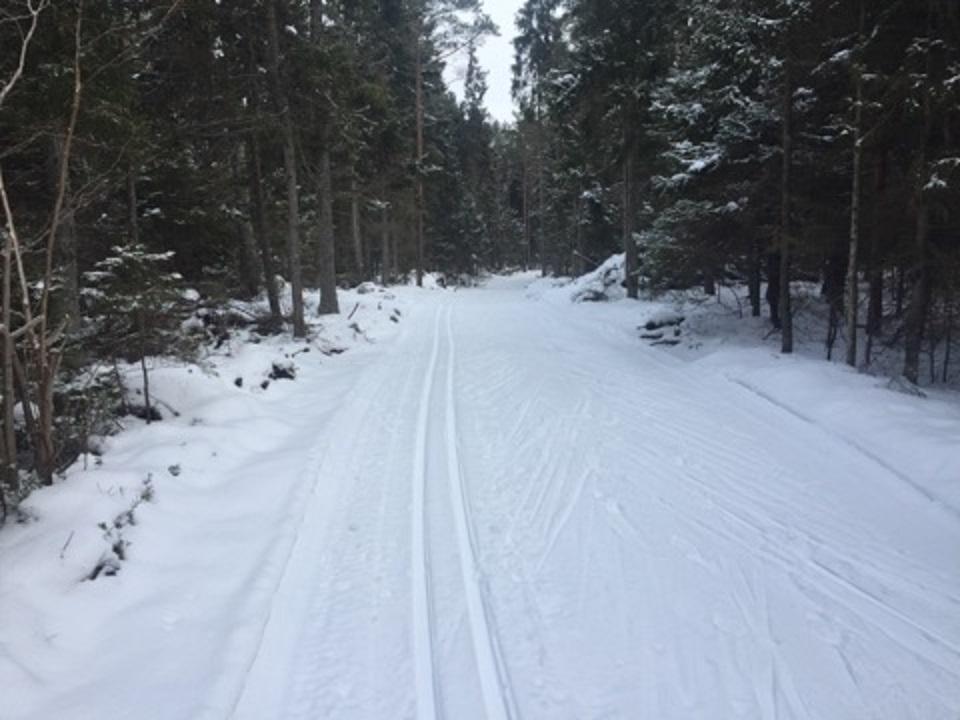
{"points": [[915, 437]]}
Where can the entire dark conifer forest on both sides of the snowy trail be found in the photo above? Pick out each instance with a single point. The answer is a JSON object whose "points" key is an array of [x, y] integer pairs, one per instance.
{"points": [[160, 158]]}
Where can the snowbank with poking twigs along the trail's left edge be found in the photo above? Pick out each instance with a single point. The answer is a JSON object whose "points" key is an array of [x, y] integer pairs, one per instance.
{"points": [[191, 515]]}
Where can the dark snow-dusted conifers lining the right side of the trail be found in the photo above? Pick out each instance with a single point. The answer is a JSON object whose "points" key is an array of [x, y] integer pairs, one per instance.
{"points": [[759, 141]]}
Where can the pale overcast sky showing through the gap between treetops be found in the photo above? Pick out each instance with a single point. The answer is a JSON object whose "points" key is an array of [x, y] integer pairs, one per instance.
{"points": [[496, 56]]}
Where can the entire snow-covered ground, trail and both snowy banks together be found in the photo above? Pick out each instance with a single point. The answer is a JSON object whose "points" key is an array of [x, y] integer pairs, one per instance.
{"points": [[498, 503]]}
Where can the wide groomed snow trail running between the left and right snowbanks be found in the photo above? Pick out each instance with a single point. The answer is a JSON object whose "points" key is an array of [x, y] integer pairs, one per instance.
{"points": [[517, 511]]}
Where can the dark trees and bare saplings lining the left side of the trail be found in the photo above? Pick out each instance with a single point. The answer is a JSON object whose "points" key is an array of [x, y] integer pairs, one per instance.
{"points": [[225, 148]]}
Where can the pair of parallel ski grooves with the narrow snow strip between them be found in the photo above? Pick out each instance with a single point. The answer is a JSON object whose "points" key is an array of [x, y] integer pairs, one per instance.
{"points": [[438, 603]]}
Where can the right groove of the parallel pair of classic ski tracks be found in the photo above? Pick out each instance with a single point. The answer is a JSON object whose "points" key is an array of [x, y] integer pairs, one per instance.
{"points": [[491, 672]]}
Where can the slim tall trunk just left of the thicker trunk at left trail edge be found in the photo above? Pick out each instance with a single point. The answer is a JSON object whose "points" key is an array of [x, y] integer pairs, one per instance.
{"points": [[290, 170]]}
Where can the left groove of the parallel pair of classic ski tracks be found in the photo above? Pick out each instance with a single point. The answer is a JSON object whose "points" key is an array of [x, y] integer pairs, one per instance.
{"points": [[424, 674]]}
